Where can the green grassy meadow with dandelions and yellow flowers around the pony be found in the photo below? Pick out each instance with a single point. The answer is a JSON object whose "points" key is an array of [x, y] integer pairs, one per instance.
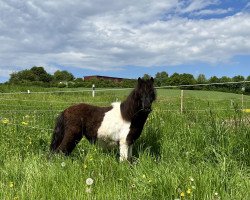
{"points": [[201, 153]]}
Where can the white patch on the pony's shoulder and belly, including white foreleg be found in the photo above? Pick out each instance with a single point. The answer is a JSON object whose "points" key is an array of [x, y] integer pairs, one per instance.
{"points": [[114, 130]]}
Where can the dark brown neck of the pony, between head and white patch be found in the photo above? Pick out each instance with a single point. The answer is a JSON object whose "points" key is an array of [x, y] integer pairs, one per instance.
{"points": [[130, 107]]}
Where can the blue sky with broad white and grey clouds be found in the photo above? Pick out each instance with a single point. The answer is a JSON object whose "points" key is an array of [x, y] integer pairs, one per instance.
{"points": [[126, 38]]}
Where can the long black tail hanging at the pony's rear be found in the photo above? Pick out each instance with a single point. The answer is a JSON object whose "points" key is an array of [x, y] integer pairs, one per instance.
{"points": [[58, 133]]}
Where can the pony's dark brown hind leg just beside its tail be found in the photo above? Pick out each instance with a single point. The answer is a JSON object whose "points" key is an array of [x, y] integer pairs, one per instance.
{"points": [[70, 140]]}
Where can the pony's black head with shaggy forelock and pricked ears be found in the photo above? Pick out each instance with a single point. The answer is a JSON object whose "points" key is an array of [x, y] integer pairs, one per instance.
{"points": [[146, 93]]}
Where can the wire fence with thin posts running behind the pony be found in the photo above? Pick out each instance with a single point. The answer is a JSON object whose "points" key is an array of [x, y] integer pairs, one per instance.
{"points": [[38, 109]]}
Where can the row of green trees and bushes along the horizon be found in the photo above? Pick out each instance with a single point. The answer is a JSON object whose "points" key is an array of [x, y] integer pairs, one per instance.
{"points": [[38, 76]]}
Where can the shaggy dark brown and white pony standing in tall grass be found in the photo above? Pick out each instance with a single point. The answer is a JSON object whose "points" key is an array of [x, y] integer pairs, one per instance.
{"points": [[119, 124]]}
